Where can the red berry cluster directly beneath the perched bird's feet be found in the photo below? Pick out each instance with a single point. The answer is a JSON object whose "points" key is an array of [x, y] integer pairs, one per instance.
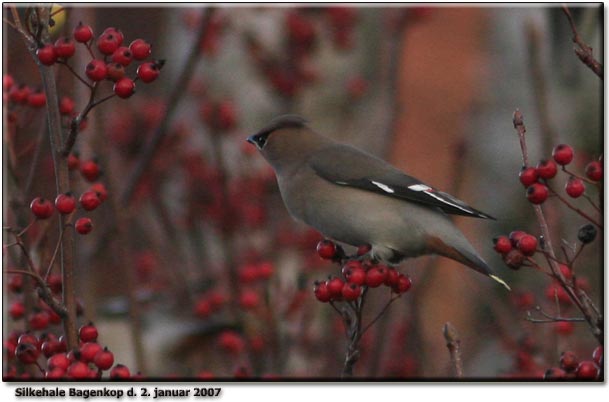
{"points": [[357, 276]]}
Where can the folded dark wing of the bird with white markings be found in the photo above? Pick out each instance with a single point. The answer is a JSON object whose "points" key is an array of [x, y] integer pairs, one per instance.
{"points": [[348, 166]]}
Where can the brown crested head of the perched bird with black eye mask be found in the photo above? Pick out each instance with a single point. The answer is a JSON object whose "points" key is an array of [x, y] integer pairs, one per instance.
{"points": [[286, 140]]}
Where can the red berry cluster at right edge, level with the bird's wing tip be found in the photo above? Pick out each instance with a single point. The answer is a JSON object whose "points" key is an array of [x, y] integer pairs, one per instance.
{"points": [[535, 179]]}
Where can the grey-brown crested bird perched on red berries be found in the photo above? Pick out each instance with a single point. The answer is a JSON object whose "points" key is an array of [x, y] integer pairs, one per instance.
{"points": [[356, 198]]}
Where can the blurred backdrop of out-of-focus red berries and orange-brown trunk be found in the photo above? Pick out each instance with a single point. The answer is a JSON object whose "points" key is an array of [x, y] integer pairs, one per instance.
{"points": [[194, 268]]}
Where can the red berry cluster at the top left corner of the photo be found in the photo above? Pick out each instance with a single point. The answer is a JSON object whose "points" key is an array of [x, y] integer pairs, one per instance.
{"points": [[112, 62]]}
